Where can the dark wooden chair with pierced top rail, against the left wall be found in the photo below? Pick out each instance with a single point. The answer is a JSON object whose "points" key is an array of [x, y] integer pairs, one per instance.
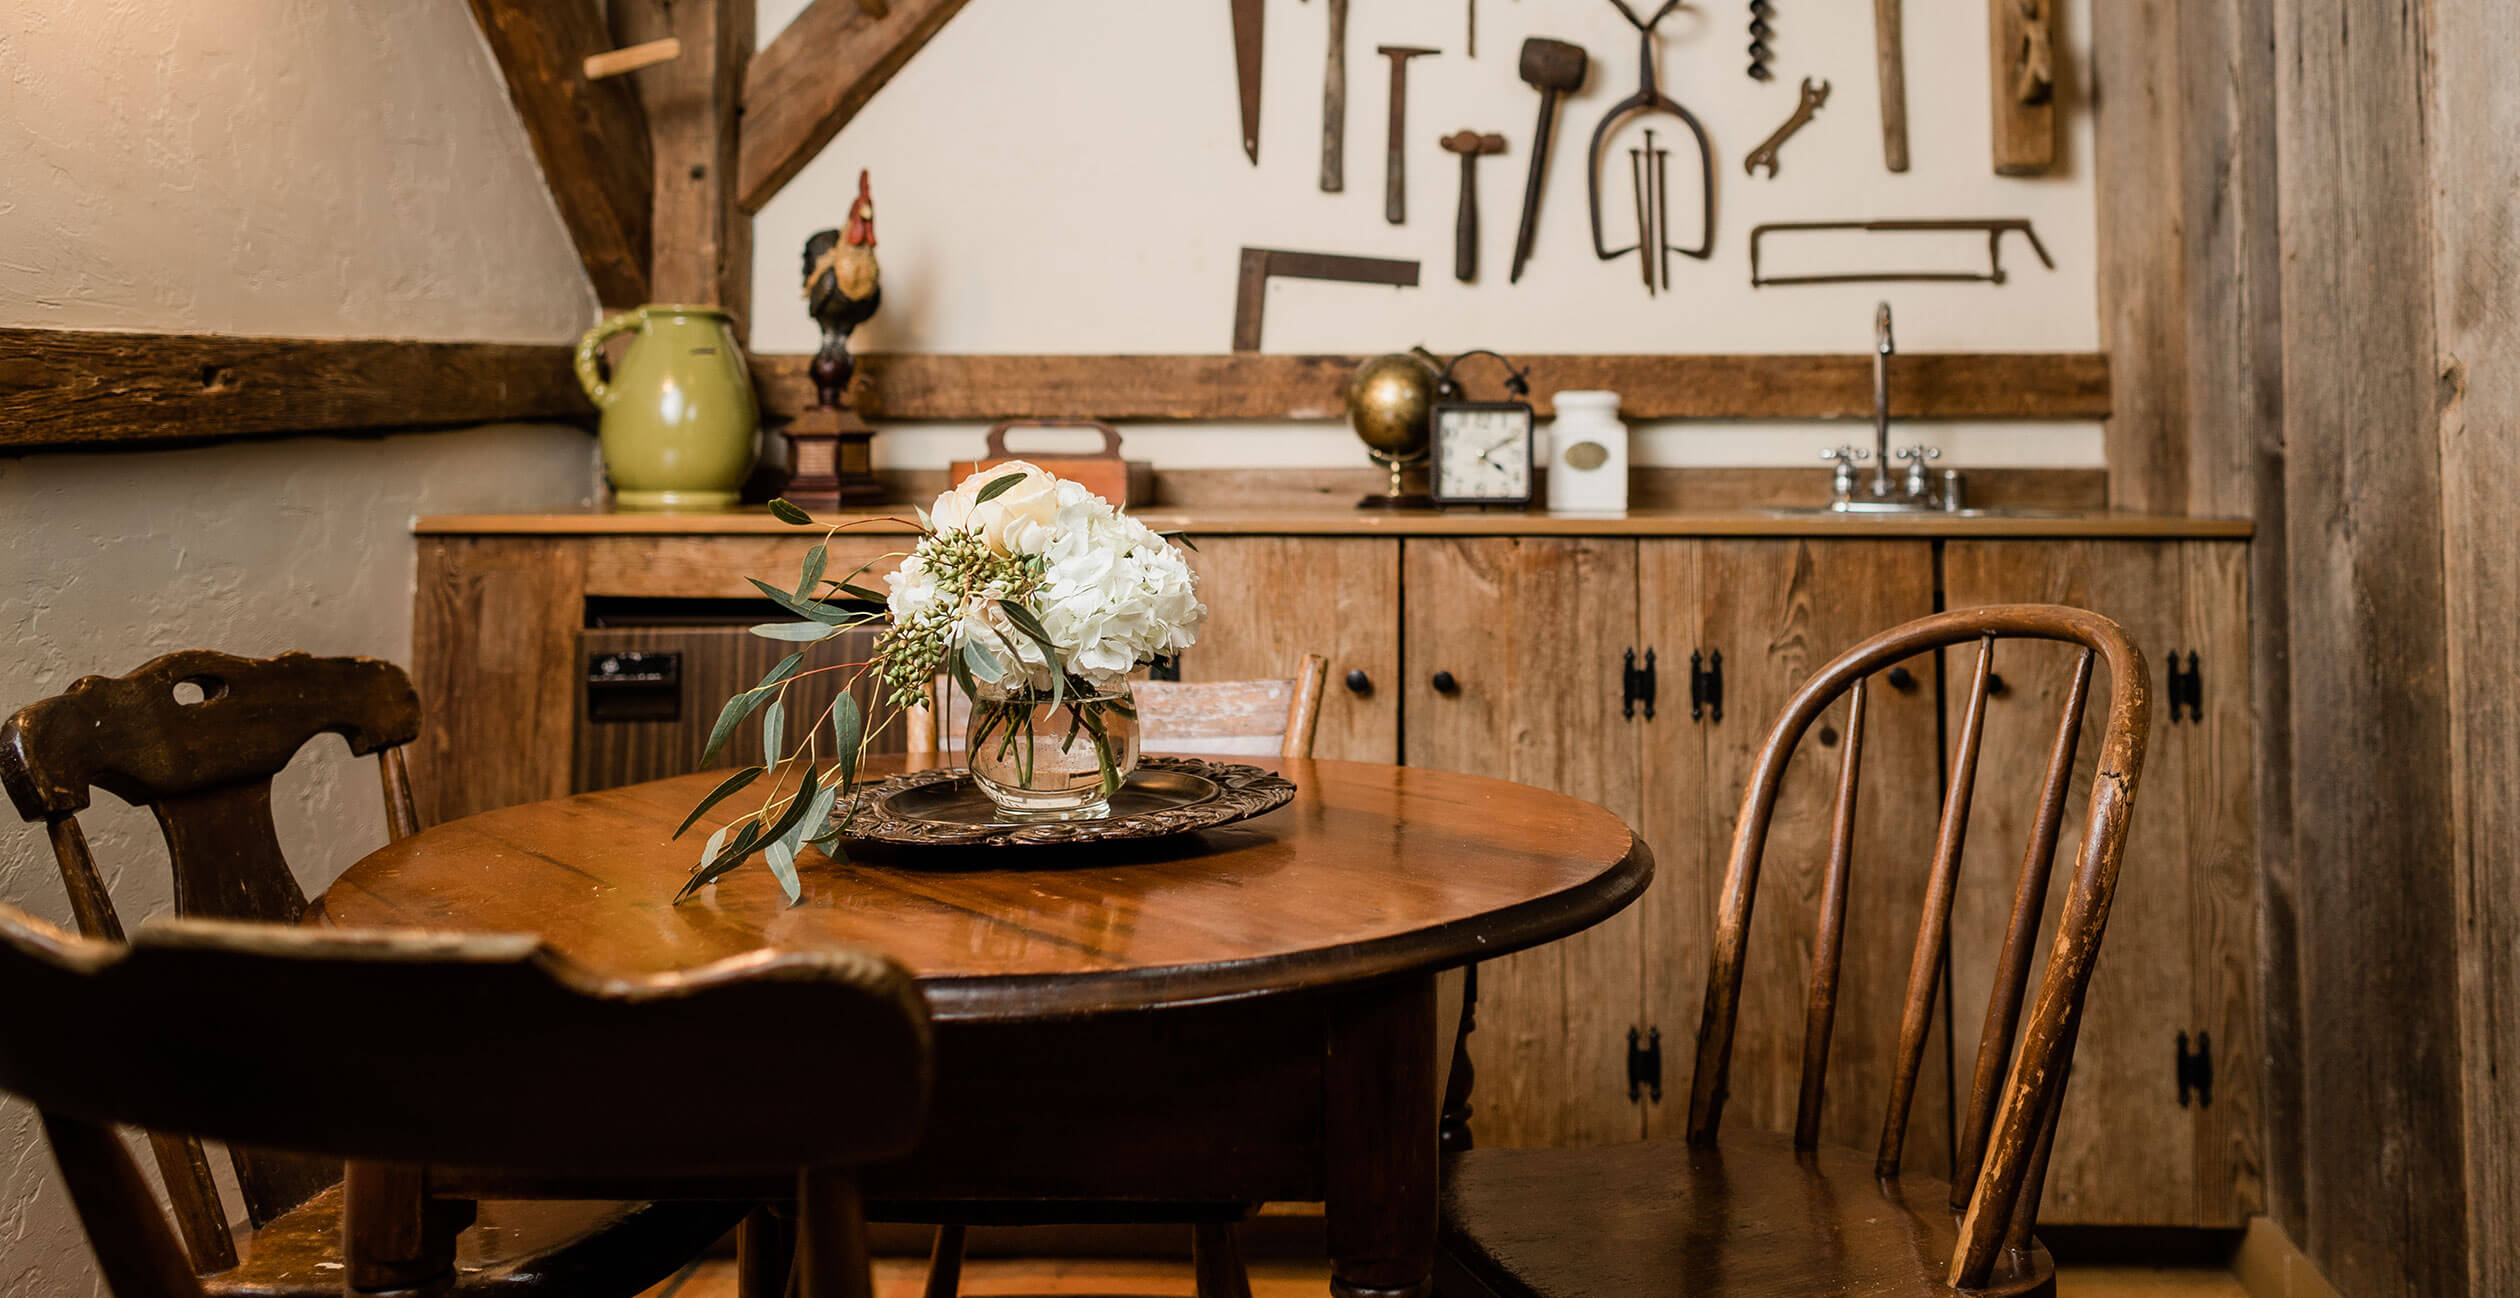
{"points": [[198, 740]]}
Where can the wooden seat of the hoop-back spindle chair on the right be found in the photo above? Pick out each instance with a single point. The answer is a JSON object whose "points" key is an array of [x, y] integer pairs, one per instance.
{"points": [[1740, 1219]]}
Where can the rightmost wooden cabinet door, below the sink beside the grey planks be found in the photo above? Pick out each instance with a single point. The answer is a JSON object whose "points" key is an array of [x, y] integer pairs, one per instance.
{"points": [[2179, 949]]}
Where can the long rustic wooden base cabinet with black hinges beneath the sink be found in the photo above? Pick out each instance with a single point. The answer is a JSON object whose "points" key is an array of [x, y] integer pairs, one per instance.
{"points": [[1637, 664]]}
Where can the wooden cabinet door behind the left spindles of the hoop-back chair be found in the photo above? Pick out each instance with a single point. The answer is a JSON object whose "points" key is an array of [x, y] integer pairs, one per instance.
{"points": [[1775, 611]]}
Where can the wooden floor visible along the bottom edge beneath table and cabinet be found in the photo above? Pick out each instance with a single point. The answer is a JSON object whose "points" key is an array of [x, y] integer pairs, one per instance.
{"points": [[1271, 1279]]}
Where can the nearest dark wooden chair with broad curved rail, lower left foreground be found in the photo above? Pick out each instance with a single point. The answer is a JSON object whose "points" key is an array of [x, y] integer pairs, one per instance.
{"points": [[460, 1062]]}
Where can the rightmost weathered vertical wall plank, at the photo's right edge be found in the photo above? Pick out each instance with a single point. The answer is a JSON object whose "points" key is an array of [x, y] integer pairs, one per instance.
{"points": [[2476, 306]]}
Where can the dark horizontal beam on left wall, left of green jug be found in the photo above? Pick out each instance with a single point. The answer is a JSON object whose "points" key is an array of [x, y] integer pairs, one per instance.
{"points": [[82, 389]]}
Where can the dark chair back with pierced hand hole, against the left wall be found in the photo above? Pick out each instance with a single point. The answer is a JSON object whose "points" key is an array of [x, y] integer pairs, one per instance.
{"points": [[198, 740]]}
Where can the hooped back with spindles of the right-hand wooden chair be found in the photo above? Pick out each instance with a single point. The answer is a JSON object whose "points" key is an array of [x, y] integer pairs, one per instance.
{"points": [[2010, 1173]]}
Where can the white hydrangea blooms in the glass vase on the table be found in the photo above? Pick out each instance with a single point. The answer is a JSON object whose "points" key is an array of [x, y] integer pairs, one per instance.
{"points": [[1110, 591]]}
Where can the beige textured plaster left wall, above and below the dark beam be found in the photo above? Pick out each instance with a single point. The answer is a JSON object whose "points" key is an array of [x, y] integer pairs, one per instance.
{"points": [[311, 168]]}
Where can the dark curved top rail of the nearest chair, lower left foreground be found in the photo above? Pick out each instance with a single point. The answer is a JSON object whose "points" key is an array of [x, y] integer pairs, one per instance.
{"points": [[470, 1050]]}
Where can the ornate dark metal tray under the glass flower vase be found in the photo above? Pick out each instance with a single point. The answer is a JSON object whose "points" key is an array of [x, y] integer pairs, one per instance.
{"points": [[1163, 798]]}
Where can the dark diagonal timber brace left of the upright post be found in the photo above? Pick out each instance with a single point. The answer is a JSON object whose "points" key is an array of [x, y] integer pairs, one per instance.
{"points": [[588, 135]]}
